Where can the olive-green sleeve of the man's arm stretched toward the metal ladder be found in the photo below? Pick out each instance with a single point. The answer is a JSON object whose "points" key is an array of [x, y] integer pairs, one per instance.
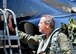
{"points": [[27, 37]]}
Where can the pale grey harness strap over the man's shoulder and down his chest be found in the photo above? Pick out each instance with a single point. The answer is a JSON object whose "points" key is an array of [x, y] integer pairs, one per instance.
{"points": [[46, 43]]}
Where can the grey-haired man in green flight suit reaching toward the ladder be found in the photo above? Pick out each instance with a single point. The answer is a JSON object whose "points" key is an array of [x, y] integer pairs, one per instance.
{"points": [[53, 41]]}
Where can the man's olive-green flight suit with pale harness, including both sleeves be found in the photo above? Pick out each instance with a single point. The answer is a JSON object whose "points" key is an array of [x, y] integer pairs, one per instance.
{"points": [[56, 43]]}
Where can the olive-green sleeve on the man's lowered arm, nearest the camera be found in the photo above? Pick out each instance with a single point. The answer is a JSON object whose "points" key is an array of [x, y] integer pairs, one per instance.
{"points": [[64, 44]]}
